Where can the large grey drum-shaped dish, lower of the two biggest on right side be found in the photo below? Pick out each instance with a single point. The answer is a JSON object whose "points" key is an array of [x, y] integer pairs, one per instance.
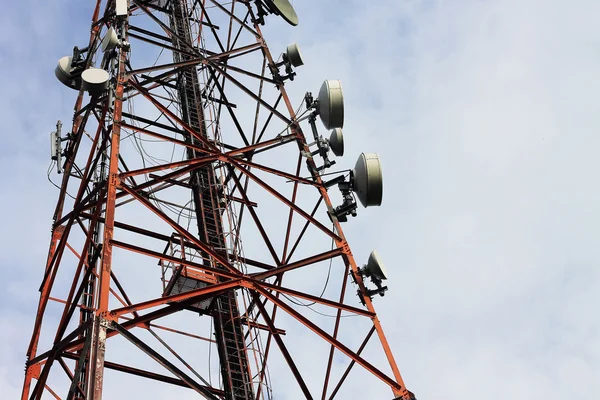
{"points": [[368, 179]]}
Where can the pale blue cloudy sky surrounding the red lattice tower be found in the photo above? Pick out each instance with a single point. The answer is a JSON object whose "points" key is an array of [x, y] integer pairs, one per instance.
{"points": [[484, 114]]}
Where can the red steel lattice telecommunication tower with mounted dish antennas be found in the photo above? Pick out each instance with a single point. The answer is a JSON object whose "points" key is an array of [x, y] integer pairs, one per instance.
{"points": [[189, 192]]}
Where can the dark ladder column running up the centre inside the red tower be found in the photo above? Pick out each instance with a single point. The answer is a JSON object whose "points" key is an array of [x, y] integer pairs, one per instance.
{"points": [[229, 334]]}
